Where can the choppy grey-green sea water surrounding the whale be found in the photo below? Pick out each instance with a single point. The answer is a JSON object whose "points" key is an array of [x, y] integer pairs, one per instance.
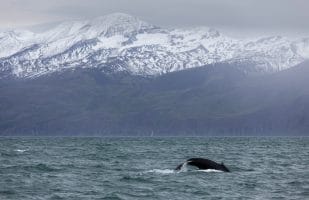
{"points": [[142, 168]]}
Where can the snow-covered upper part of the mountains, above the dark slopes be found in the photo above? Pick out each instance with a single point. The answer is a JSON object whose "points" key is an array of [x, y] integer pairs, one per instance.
{"points": [[120, 42]]}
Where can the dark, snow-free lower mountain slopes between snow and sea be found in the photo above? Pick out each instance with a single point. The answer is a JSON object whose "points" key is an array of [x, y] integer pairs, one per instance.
{"points": [[212, 100]]}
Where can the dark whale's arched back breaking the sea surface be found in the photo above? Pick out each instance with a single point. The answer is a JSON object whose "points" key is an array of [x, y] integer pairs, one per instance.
{"points": [[202, 163]]}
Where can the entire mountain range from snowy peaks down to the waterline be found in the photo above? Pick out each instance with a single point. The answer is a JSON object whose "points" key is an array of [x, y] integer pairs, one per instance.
{"points": [[118, 75]]}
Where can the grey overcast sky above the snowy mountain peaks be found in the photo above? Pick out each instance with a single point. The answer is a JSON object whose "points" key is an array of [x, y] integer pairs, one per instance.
{"points": [[272, 15]]}
